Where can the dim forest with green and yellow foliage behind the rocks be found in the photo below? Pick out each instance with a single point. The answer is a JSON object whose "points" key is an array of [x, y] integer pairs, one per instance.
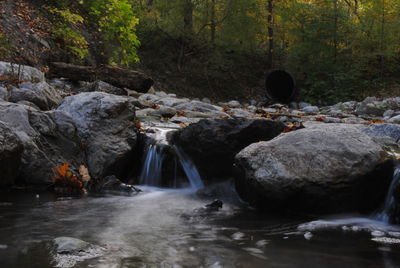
{"points": [[337, 50]]}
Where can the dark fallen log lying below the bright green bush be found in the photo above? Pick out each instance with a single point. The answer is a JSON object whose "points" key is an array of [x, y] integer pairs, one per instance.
{"points": [[116, 76]]}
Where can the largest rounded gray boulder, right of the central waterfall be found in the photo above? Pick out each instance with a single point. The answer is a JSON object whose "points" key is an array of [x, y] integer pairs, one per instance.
{"points": [[321, 169]]}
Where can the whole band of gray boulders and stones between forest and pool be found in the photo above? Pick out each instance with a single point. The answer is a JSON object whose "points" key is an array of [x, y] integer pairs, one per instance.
{"points": [[283, 157]]}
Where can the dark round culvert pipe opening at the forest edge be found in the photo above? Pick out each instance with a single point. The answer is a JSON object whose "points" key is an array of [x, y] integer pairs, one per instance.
{"points": [[280, 85]]}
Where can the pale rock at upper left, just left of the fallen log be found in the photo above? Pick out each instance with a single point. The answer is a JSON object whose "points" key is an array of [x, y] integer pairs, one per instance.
{"points": [[41, 94]]}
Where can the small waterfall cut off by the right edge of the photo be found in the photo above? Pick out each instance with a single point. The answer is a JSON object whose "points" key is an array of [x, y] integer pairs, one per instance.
{"points": [[390, 202]]}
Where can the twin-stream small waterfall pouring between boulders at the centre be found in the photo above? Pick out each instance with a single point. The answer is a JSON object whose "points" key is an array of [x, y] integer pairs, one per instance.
{"points": [[155, 162]]}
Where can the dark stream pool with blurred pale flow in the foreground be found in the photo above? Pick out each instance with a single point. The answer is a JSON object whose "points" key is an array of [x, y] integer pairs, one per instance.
{"points": [[161, 228]]}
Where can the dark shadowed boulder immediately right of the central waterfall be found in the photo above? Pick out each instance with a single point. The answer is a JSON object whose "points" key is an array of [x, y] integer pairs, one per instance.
{"points": [[213, 143]]}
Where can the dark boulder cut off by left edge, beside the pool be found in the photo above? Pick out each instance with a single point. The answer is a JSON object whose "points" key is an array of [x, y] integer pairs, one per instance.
{"points": [[10, 154]]}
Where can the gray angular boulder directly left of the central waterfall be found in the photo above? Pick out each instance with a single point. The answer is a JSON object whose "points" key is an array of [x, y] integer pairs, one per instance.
{"points": [[106, 124]]}
